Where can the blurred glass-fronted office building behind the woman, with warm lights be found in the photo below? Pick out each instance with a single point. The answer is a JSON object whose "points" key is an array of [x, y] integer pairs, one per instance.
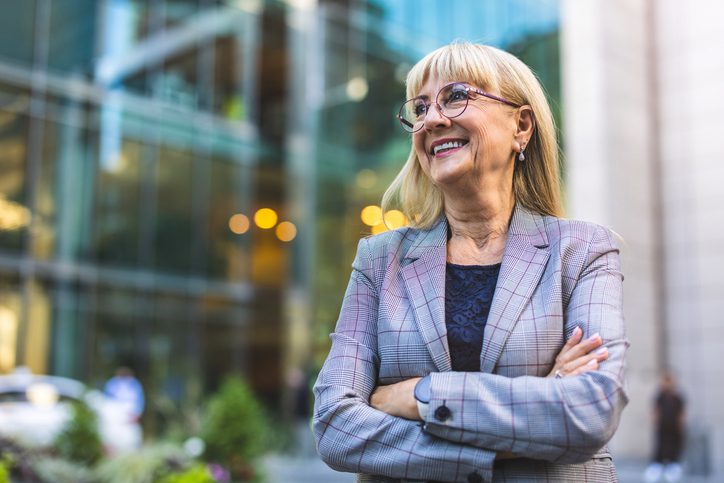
{"points": [[181, 181]]}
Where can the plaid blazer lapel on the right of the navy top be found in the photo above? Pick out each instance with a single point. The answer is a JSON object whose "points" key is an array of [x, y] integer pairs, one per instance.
{"points": [[524, 260]]}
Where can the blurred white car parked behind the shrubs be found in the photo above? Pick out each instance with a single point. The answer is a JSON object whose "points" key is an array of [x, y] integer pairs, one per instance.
{"points": [[35, 408]]}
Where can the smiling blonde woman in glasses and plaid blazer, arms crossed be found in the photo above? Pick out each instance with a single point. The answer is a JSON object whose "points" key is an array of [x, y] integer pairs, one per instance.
{"points": [[448, 328]]}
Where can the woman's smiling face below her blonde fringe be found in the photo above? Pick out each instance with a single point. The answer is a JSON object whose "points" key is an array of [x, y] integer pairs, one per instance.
{"points": [[480, 142]]}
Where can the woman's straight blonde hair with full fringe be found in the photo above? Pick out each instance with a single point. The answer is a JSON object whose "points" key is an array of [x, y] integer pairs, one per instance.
{"points": [[536, 183]]}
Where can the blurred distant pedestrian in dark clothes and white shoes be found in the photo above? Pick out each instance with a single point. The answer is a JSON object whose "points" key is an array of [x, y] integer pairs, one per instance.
{"points": [[669, 422]]}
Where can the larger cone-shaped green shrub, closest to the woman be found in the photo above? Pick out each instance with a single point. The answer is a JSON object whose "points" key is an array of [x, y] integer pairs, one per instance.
{"points": [[235, 429]]}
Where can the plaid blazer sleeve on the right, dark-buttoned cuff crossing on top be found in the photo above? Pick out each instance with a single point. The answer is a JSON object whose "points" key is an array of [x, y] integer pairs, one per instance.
{"points": [[561, 420]]}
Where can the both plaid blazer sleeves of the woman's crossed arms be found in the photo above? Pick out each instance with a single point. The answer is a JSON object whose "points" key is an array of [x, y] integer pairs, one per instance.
{"points": [[561, 420]]}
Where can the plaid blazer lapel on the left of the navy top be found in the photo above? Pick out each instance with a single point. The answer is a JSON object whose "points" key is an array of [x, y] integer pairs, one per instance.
{"points": [[424, 278]]}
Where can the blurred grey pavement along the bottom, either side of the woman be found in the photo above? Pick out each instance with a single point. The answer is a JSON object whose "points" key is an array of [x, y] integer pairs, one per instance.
{"points": [[311, 469]]}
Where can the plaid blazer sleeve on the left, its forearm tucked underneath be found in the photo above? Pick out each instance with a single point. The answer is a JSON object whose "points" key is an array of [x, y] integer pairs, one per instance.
{"points": [[351, 435]]}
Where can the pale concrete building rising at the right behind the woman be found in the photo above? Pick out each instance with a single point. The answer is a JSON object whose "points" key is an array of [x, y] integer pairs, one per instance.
{"points": [[644, 117]]}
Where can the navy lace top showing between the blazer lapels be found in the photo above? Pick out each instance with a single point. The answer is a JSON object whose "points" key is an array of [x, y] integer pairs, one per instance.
{"points": [[468, 295]]}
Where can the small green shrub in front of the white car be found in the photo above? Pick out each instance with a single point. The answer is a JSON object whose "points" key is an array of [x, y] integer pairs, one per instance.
{"points": [[79, 440]]}
